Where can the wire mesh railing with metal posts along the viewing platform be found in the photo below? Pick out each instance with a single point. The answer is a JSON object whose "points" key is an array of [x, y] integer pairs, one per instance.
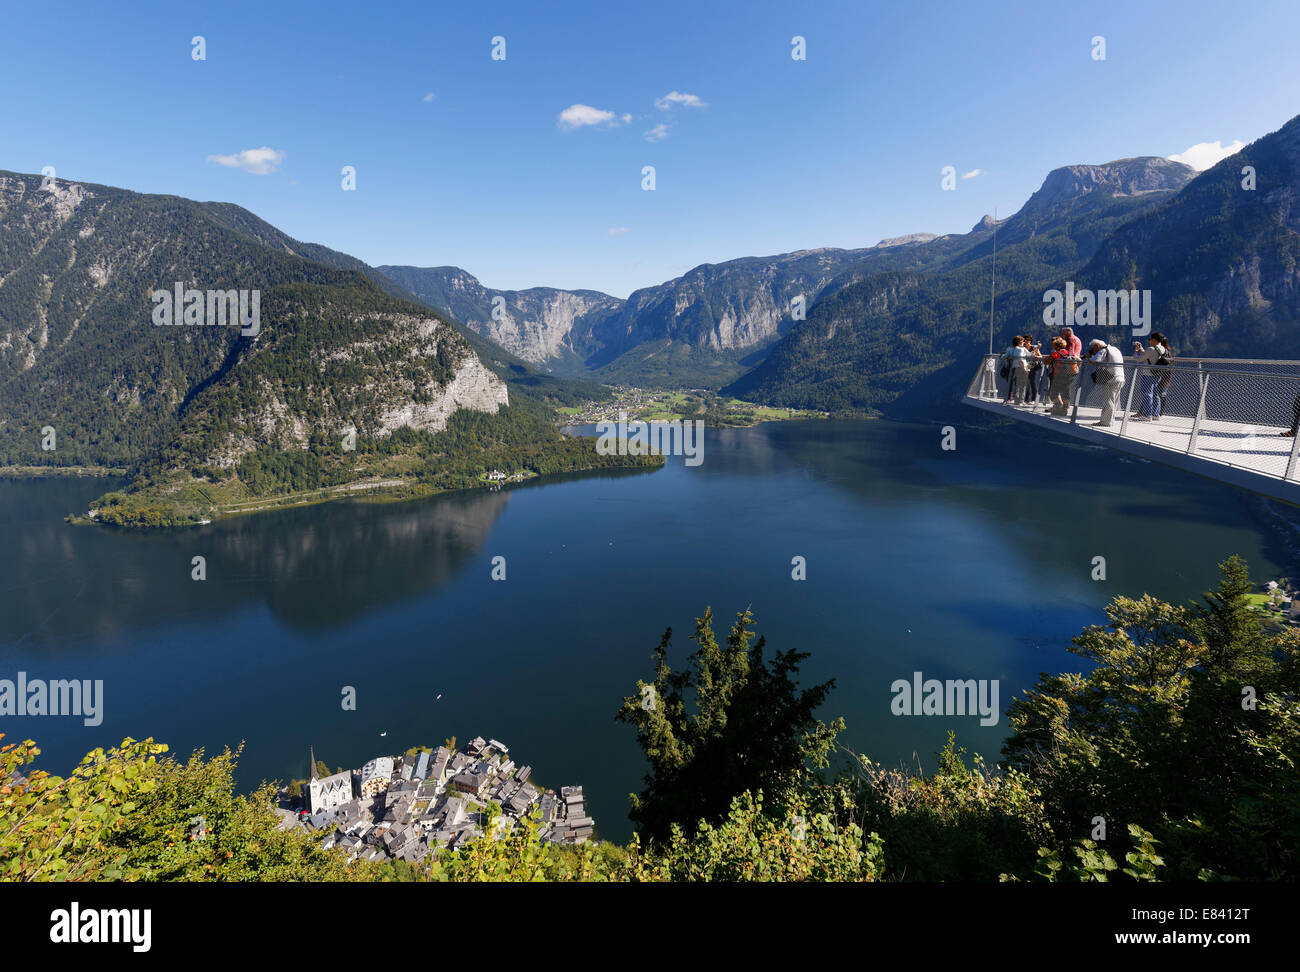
{"points": [[1241, 413]]}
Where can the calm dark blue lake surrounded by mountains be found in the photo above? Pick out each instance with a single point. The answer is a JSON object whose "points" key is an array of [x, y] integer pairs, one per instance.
{"points": [[968, 565]]}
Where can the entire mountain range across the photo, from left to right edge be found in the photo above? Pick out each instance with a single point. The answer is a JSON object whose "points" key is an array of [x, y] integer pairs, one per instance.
{"points": [[397, 352]]}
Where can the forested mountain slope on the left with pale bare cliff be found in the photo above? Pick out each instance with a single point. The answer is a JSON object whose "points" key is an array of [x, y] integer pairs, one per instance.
{"points": [[249, 406]]}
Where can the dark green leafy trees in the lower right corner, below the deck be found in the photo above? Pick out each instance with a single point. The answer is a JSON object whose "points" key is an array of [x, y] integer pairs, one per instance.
{"points": [[1186, 726]]}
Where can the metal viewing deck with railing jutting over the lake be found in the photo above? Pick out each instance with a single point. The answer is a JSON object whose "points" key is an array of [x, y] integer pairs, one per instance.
{"points": [[1225, 419]]}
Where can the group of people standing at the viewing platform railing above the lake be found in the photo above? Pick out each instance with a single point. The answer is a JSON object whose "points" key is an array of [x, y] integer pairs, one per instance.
{"points": [[1033, 376]]}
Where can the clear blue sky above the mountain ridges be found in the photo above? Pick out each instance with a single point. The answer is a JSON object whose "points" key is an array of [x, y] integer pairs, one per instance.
{"points": [[840, 150]]}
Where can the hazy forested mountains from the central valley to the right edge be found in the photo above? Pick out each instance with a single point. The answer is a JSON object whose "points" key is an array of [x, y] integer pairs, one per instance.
{"points": [[1219, 259]]}
